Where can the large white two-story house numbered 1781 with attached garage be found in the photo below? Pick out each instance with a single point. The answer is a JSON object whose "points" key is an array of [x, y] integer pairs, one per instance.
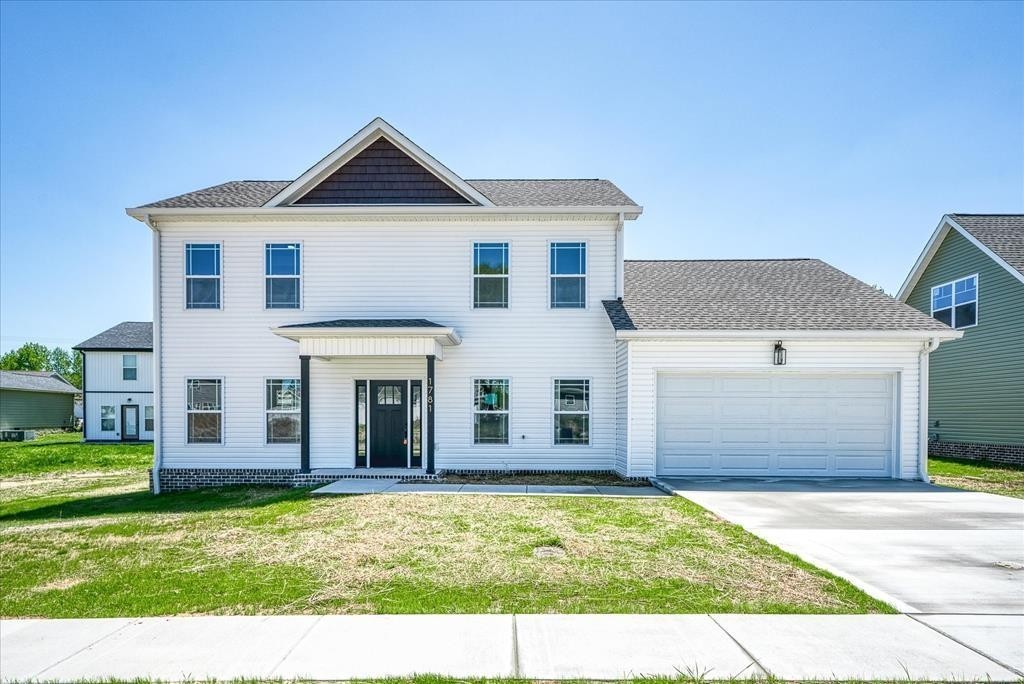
{"points": [[382, 313]]}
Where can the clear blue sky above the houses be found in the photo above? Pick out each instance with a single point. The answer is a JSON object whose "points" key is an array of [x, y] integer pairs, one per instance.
{"points": [[839, 132]]}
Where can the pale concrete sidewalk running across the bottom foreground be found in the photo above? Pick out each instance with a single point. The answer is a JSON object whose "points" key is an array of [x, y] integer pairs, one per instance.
{"points": [[541, 647]]}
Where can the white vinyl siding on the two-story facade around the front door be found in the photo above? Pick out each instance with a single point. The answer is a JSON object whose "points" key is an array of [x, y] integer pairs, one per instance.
{"points": [[391, 269]]}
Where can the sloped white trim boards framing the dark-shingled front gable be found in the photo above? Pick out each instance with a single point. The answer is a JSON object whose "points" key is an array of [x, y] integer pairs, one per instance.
{"points": [[357, 144]]}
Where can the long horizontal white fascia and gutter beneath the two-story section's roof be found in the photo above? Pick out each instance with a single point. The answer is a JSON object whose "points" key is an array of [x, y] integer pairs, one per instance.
{"points": [[142, 213]]}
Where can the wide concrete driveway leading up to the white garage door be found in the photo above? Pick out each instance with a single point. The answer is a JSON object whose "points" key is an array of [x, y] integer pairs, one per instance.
{"points": [[920, 547]]}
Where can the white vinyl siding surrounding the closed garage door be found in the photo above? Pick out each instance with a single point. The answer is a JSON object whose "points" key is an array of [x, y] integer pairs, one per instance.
{"points": [[649, 359]]}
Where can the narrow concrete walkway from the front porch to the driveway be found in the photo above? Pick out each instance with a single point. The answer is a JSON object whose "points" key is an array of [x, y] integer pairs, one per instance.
{"points": [[357, 486]]}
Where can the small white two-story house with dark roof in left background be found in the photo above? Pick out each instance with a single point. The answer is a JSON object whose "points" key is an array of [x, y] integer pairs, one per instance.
{"points": [[117, 383]]}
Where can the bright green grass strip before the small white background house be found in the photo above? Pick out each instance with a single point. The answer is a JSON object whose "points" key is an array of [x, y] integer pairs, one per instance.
{"points": [[62, 452]]}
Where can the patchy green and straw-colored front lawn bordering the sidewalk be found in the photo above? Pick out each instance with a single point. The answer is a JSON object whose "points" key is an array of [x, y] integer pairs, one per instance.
{"points": [[100, 545]]}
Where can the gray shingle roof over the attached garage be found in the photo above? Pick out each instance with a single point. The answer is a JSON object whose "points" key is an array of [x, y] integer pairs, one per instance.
{"points": [[790, 294]]}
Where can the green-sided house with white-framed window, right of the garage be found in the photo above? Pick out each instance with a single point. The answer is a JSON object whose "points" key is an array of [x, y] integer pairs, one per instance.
{"points": [[971, 277]]}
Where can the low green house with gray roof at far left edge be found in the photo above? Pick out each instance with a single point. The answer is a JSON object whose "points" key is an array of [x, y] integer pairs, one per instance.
{"points": [[34, 400]]}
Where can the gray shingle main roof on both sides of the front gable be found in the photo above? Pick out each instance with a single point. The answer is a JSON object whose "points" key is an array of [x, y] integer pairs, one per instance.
{"points": [[513, 193]]}
